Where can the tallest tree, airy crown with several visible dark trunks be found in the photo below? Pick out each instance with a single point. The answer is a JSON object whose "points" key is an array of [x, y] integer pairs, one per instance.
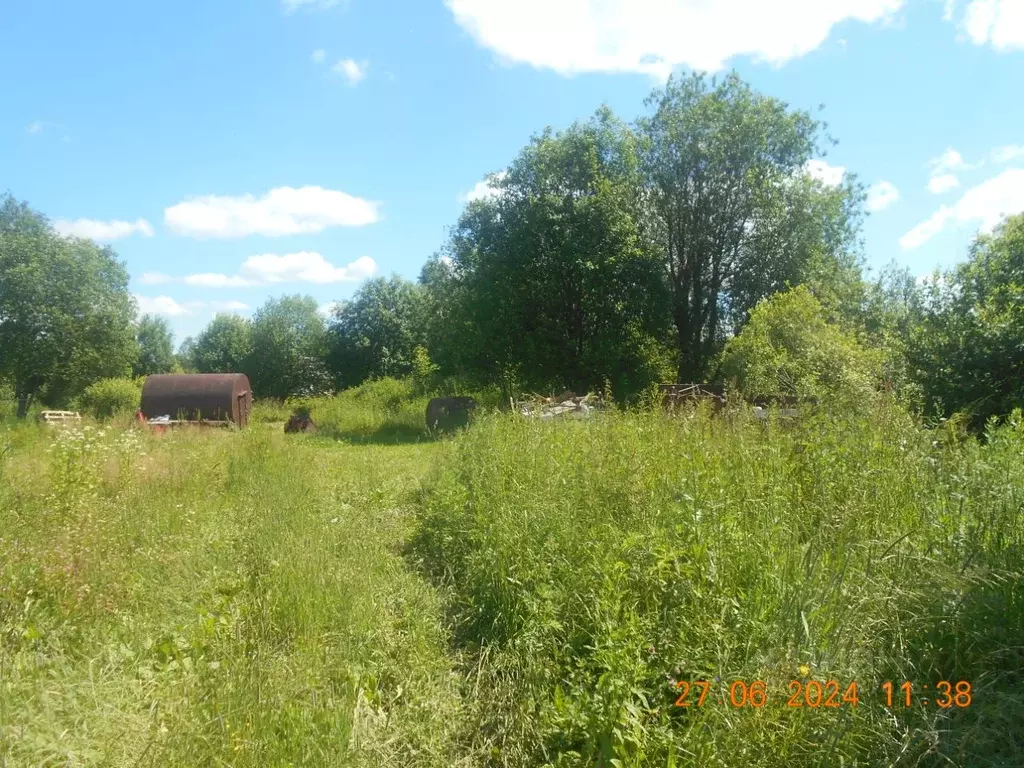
{"points": [[735, 218]]}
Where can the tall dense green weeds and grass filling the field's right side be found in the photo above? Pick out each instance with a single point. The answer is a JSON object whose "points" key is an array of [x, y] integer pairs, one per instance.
{"points": [[589, 567]]}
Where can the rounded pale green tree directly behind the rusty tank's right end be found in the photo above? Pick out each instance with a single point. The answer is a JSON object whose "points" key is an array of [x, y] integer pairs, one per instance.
{"points": [[289, 350]]}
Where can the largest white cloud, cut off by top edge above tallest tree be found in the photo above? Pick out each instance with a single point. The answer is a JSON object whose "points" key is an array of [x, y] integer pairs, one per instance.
{"points": [[656, 36]]}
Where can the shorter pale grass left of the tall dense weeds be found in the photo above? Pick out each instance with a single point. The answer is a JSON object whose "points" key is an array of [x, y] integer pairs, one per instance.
{"points": [[217, 599]]}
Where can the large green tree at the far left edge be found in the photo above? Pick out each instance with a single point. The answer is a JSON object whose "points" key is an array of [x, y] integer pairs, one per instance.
{"points": [[66, 314]]}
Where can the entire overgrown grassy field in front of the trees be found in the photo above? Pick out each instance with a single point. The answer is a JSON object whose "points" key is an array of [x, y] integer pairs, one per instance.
{"points": [[525, 594]]}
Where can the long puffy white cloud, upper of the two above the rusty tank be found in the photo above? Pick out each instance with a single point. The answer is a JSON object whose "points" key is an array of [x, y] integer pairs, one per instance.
{"points": [[284, 210]]}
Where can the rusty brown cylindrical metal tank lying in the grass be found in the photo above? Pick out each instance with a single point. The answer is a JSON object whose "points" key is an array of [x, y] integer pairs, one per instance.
{"points": [[218, 399]]}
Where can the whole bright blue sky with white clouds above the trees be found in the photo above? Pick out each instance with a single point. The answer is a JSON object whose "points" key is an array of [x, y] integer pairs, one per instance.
{"points": [[237, 150]]}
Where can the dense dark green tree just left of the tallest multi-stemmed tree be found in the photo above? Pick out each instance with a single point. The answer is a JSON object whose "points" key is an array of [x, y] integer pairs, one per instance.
{"points": [[559, 286]]}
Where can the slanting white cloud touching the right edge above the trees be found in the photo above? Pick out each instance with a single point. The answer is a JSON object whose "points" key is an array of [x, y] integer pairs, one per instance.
{"points": [[987, 204]]}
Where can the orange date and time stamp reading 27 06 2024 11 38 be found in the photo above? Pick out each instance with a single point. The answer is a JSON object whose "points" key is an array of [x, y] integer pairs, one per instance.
{"points": [[829, 695]]}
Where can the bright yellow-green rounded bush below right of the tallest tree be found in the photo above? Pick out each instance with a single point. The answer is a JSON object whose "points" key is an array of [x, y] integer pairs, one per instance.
{"points": [[790, 350]]}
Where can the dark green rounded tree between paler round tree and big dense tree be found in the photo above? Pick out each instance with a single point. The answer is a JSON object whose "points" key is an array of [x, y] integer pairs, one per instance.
{"points": [[376, 333]]}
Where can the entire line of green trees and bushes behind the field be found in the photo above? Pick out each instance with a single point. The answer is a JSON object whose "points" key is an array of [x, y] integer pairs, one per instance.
{"points": [[691, 246]]}
